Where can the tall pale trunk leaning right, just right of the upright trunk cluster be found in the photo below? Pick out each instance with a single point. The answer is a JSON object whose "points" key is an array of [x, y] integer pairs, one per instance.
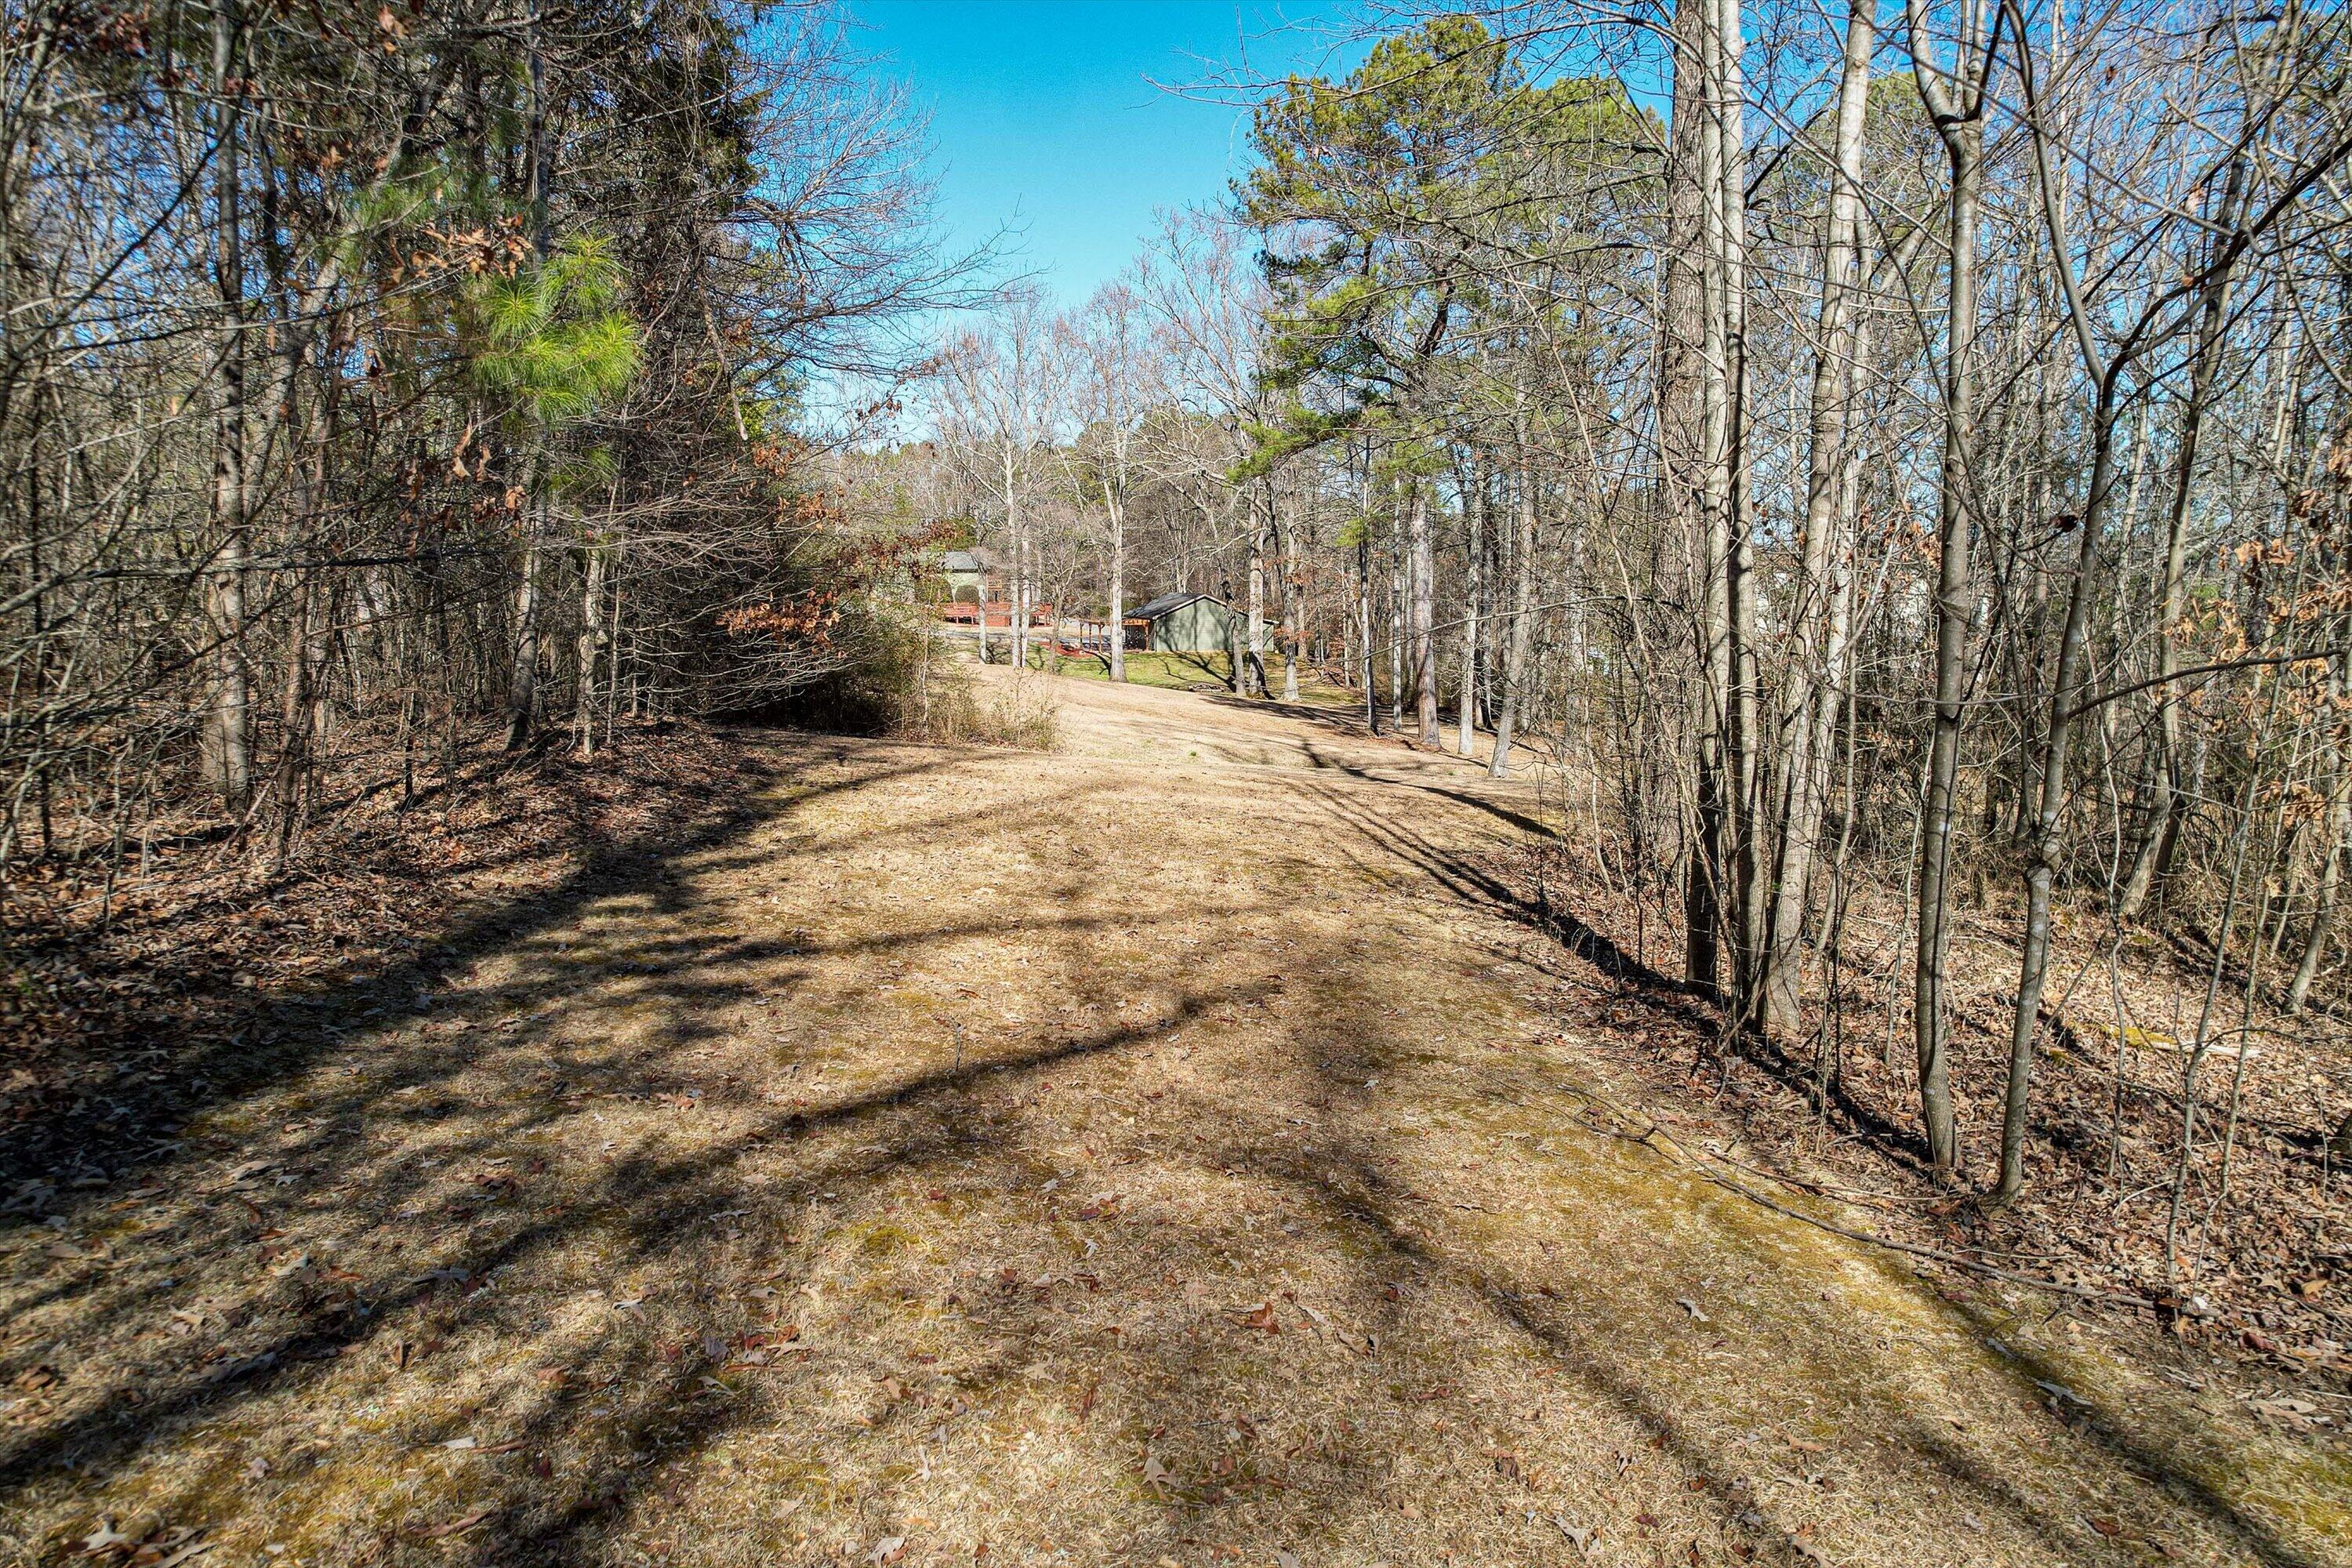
{"points": [[1829, 540]]}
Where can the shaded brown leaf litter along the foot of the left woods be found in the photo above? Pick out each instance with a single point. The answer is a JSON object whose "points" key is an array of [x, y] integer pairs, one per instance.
{"points": [[152, 979]]}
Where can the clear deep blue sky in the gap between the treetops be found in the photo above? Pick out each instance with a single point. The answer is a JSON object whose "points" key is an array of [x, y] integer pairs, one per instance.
{"points": [[1055, 121]]}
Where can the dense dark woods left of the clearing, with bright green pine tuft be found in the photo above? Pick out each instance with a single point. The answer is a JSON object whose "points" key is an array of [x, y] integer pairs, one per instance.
{"points": [[380, 377]]}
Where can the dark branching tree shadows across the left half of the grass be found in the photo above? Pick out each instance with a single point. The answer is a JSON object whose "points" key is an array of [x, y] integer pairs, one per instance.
{"points": [[413, 1115]]}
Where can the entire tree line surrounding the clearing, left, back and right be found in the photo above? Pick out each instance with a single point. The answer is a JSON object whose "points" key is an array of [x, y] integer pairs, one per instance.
{"points": [[1897, 467]]}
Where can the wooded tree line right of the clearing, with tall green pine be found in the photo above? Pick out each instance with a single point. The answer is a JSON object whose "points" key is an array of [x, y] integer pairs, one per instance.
{"points": [[1895, 464]]}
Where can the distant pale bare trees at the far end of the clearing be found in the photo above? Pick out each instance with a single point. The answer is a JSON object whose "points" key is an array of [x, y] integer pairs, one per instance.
{"points": [[1109, 453]]}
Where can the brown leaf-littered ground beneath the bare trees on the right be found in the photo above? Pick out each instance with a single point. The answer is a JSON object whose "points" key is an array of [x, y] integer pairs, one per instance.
{"points": [[2257, 1217]]}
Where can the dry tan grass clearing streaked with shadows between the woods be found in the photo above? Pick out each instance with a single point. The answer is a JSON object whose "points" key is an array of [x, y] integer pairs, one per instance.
{"points": [[1168, 1151]]}
